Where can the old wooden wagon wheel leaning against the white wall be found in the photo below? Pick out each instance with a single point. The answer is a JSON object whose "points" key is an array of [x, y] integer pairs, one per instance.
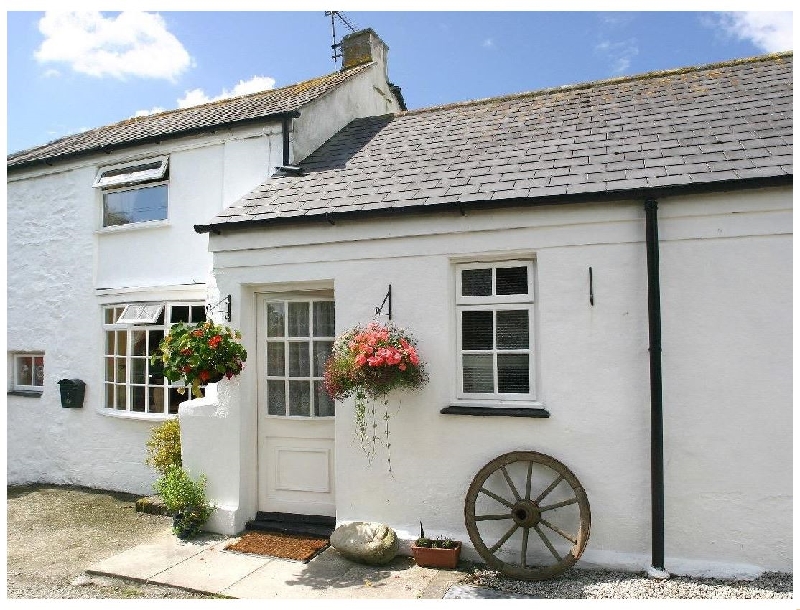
{"points": [[514, 502]]}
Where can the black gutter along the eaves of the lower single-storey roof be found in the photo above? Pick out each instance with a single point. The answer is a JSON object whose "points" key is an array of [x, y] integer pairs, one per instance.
{"points": [[330, 216]]}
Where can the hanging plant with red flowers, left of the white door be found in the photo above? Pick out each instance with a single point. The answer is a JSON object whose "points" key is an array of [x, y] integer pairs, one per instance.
{"points": [[200, 354]]}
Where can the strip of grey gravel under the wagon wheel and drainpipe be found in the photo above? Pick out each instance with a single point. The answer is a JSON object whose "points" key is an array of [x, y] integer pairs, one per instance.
{"points": [[601, 584]]}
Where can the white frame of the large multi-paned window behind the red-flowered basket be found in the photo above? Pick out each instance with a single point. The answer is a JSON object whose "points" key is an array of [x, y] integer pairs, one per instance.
{"points": [[129, 327]]}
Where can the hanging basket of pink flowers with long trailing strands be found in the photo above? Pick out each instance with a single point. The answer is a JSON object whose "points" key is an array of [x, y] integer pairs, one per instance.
{"points": [[367, 362]]}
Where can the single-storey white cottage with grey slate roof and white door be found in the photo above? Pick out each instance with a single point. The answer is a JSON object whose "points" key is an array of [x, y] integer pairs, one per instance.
{"points": [[600, 273]]}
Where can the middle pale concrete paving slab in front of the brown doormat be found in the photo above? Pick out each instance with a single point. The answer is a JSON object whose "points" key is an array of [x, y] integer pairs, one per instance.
{"points": [[212, 571]]}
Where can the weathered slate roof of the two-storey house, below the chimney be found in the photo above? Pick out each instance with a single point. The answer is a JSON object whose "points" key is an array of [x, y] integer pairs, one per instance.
{"points": [[176, 123]]}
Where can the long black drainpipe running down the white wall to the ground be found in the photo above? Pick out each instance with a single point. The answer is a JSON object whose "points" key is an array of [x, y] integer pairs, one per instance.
{"points": [[656, 411]]}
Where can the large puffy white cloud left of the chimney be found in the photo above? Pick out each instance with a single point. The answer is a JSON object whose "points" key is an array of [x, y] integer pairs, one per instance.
{"points": [[129, 44]]}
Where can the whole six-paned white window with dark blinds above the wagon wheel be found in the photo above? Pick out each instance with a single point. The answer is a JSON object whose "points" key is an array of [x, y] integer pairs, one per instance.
{"points": [[494, 305]]}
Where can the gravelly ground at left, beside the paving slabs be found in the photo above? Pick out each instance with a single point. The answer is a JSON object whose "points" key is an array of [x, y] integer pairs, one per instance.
{"points": [[55, 533]]}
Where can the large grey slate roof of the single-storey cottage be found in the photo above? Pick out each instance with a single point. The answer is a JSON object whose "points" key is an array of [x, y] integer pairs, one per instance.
{"points": [[710, 125]]}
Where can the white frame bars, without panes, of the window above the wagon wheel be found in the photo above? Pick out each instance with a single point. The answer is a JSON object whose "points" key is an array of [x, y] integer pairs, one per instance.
{"points": [[493, 303]]}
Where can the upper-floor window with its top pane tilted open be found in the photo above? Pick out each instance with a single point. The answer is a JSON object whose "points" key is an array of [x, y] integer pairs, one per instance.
{"points": [[134, 193]]}
